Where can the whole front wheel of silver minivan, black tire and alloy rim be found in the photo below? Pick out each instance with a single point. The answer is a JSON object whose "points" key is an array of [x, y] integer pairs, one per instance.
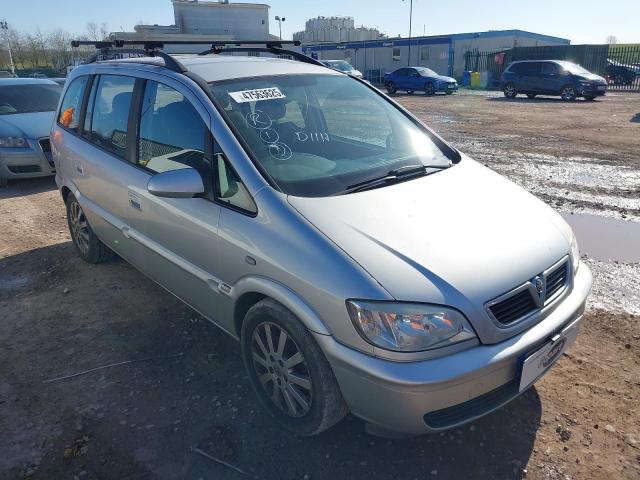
{"points": [[288, 371]]}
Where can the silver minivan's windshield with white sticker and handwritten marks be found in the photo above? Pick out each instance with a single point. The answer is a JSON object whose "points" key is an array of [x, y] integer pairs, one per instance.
{"points": [[316, 135]]}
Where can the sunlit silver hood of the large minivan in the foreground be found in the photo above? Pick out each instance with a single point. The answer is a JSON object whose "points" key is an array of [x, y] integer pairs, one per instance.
{"points": [[458, 237]]}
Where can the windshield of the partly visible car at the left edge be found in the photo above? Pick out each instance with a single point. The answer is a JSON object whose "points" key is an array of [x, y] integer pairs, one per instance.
{"points": [[28, 98]]}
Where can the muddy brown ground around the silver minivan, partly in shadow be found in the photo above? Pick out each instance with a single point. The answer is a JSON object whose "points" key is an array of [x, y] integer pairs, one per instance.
{"points": [[143, 420]]}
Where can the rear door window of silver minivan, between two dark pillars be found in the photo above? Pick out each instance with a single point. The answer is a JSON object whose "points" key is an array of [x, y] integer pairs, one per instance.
{"points": [[109, 113]]}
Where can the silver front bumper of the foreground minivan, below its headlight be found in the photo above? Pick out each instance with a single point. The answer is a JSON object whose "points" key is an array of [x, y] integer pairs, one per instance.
{"points": [[402, 397]]}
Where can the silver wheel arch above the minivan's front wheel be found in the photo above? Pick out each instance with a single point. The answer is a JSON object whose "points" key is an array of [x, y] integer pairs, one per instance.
{"points": [[250, 290]]}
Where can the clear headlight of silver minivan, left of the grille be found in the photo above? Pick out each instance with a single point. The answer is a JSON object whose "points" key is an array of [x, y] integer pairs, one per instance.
{"points": [[408, 327]]}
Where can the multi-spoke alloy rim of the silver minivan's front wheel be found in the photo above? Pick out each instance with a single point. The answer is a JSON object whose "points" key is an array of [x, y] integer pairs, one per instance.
{"points": [[281, 369]]}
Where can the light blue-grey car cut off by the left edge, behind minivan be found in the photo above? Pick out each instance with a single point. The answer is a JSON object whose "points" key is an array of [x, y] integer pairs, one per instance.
{"points": [[27, 108]]}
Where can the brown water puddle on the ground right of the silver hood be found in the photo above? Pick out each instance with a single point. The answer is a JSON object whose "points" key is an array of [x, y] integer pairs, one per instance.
{"points": [[606, 239]]}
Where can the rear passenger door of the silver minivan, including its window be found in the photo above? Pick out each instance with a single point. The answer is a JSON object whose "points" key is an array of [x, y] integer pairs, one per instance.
{"points": [[95, 149]]}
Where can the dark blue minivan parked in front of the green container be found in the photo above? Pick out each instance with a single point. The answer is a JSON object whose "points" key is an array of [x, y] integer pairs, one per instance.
{"points": [[551, 77]]}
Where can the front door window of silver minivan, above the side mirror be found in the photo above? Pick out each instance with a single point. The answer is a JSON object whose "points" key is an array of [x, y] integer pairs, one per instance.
{"points": [[172, 134]]}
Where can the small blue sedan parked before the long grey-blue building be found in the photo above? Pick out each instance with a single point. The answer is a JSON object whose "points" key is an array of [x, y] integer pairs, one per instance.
{"points": [[419, 79]]}
